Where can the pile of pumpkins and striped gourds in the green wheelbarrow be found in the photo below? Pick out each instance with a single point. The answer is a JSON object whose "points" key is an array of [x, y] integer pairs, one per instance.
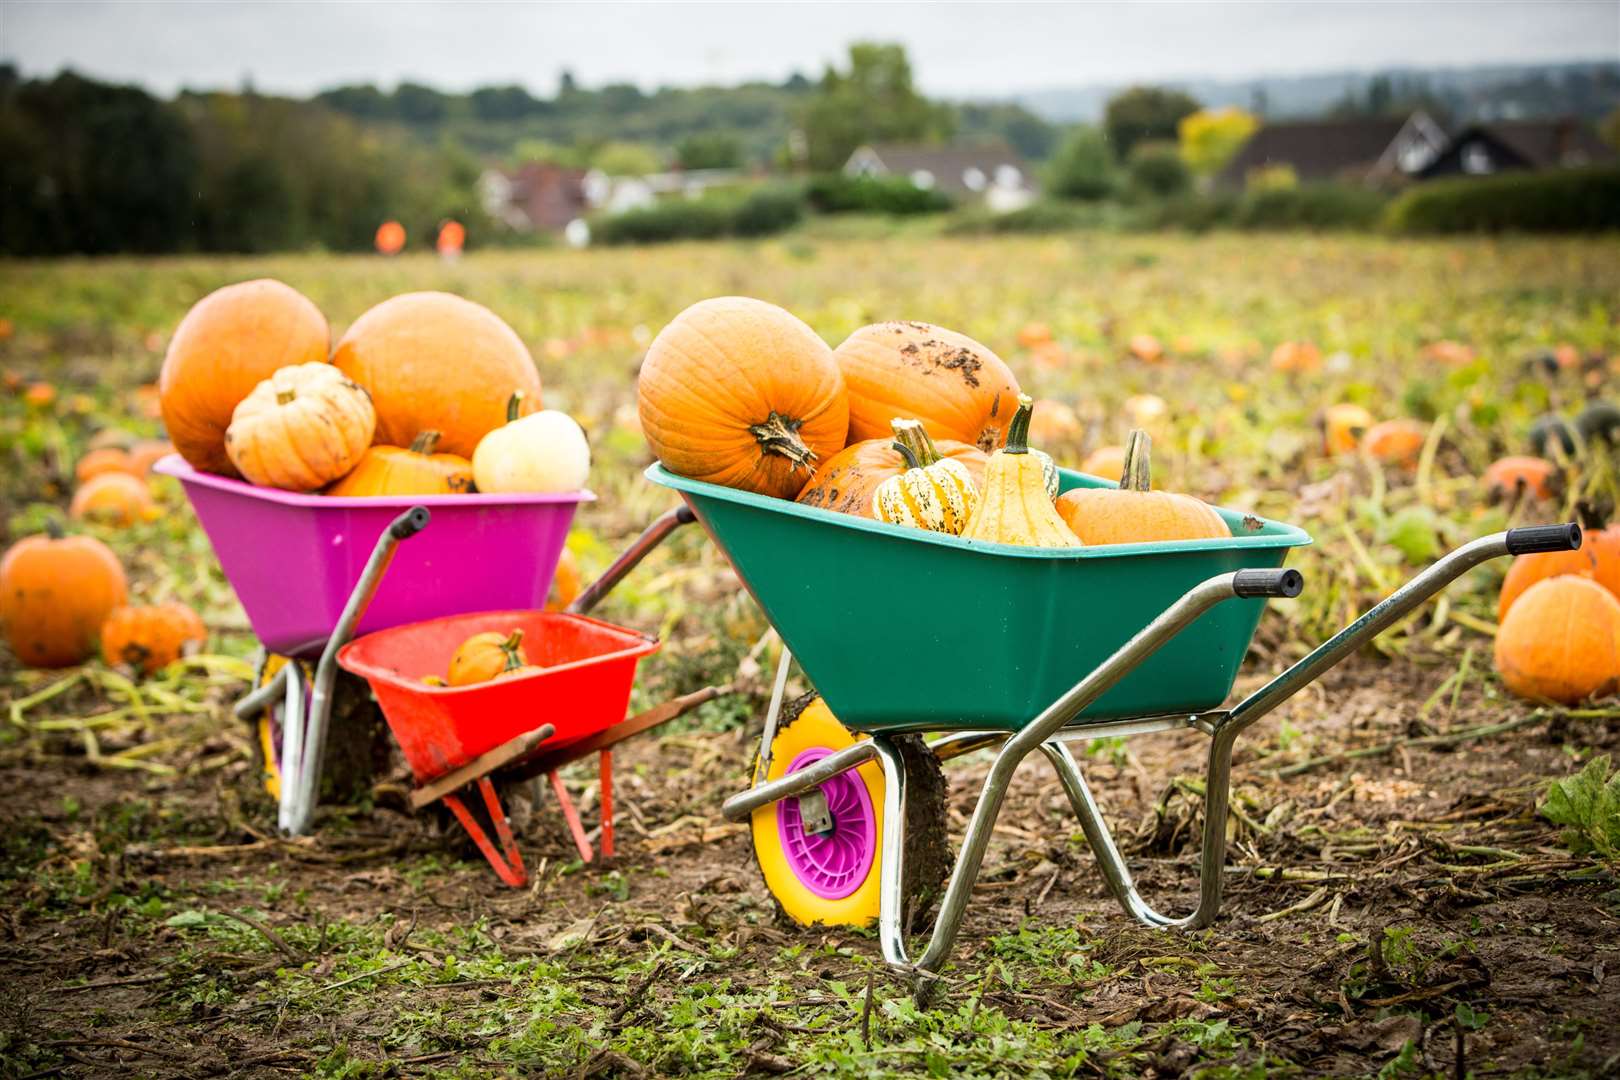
{"points": [[906, 423]]}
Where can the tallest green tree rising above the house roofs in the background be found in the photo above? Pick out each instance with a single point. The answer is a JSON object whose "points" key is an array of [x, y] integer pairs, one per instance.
{"points": [[871, 103]]}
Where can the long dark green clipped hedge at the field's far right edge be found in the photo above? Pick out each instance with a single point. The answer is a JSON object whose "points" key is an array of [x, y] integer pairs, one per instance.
{"points": [[1566, 202]]}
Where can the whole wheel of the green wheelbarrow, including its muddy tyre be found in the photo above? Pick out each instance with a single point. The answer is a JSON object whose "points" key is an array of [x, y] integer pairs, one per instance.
{"points": [[832, 878]]}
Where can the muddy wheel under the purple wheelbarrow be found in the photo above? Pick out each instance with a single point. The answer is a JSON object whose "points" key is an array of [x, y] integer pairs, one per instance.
{"points": [[356, 739]]}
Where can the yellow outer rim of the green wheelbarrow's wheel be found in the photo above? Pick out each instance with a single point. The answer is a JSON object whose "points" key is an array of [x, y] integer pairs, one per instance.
{"points": [[816, 729]]}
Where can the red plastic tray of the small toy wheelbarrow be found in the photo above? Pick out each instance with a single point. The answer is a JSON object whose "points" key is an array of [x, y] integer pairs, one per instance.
{"points": [[586, 689]]}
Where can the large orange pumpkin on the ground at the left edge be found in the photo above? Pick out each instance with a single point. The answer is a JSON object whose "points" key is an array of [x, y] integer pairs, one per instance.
{"points": [[54, 597]]}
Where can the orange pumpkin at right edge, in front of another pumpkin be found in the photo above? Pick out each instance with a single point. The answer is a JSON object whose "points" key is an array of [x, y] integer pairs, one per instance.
{"points": [[1561, 640]]}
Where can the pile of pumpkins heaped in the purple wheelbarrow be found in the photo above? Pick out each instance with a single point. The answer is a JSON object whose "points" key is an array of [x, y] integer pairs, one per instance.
{"points": [[427, 394]]}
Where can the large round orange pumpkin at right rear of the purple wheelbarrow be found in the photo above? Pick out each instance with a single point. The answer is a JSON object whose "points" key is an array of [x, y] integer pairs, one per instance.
{"points": [[435, 362]]}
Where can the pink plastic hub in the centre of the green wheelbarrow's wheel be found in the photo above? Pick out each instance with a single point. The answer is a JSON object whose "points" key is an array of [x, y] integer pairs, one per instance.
{"points": [[832, 864]]}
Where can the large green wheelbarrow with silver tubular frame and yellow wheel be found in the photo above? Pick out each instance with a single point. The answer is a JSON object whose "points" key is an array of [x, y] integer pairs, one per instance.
{"points": [[908, 634]]}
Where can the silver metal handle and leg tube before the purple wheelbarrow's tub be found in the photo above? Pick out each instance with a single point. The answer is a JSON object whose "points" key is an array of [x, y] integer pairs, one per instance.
{"points": [[304, 731]]}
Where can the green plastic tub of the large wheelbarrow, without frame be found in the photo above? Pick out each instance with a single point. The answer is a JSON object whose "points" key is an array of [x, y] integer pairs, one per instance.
{"points": [[910, 631]]}
